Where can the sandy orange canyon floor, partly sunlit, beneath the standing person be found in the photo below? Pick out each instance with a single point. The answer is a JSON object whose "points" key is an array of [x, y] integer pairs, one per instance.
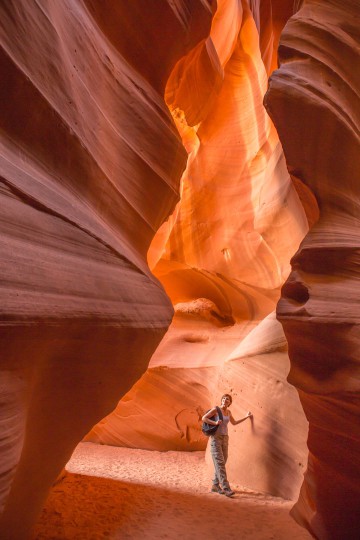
{"points": [[120, 493]]}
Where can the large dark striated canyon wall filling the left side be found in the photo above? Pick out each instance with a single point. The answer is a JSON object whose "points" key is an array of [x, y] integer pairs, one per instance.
{"points": [[90, 165]]}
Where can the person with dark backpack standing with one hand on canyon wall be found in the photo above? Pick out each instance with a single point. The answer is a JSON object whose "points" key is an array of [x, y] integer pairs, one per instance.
{"points": [[219, 442]]}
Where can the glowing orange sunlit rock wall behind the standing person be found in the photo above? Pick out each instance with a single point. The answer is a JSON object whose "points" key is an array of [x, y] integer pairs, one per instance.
{"points": [[222, 258]]}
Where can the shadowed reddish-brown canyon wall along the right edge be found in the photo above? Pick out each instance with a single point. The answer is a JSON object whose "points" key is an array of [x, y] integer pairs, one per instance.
{"points": [[314, 101]]}
